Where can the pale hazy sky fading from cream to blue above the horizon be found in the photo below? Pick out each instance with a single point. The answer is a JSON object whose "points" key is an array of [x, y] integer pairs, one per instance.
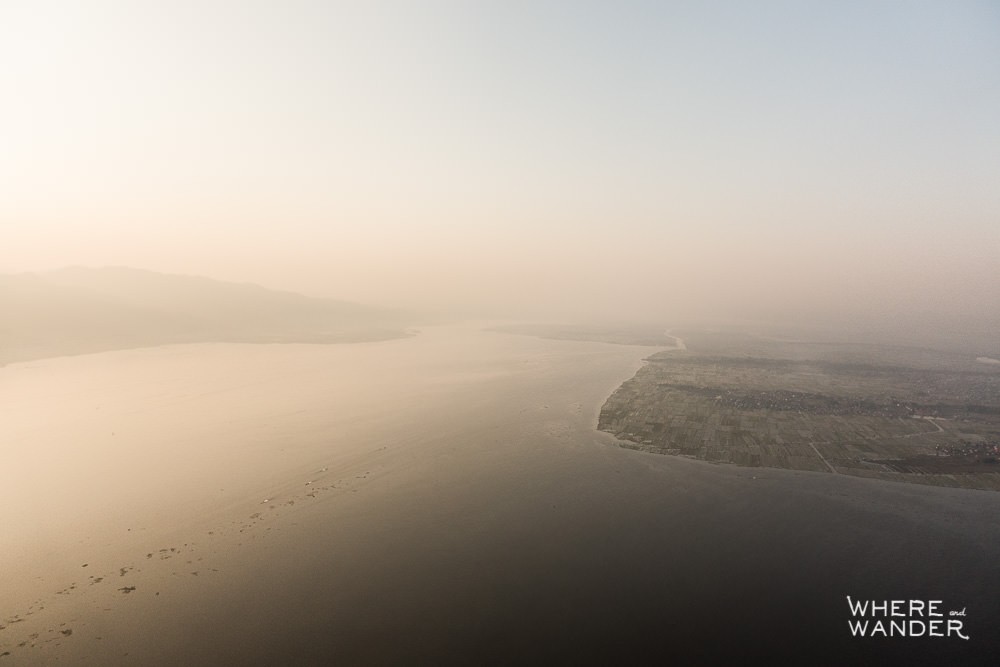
{"points": [[765, 159]]}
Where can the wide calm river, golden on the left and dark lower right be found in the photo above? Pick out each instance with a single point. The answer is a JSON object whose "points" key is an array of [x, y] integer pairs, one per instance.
{"points": [[437, 499]]}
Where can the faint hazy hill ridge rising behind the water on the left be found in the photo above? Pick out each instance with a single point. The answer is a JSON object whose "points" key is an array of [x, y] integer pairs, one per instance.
{"points": [[79, 310]]}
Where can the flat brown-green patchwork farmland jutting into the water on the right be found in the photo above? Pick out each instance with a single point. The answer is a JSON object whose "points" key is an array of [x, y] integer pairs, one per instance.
{"points": [[890, 413]]}
